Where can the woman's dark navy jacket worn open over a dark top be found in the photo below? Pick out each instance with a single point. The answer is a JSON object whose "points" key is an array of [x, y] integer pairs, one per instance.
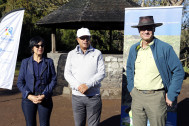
{"points": [[26, 77]]}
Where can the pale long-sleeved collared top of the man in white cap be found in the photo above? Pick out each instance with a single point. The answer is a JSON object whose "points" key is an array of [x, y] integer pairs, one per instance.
{"points": [[86, 69]]}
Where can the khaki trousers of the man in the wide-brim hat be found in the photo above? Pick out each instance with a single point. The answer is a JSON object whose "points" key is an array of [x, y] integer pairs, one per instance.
{"points": [[150, 107]]}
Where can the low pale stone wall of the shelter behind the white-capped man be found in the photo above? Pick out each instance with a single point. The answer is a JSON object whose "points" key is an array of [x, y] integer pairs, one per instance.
{"points": [[111, 85]]}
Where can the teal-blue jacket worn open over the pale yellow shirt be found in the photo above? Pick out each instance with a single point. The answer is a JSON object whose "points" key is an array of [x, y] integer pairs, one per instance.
{"points": [[167, 62]]}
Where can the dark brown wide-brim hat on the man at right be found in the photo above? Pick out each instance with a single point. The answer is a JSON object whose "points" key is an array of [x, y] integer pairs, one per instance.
{"points": [[147, 21]]}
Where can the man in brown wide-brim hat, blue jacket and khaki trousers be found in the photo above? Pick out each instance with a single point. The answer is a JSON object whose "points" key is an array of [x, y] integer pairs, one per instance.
{"points": [[154, 75]]}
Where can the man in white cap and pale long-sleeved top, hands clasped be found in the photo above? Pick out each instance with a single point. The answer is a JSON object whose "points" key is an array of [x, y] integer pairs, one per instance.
{"points": [[84, 70]]}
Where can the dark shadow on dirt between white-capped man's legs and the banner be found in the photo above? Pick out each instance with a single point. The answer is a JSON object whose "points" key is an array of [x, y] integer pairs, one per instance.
{"points": [[112, 121]]}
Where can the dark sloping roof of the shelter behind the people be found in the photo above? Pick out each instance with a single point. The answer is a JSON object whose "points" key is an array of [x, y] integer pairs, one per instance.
{"points": [[93, 14]]}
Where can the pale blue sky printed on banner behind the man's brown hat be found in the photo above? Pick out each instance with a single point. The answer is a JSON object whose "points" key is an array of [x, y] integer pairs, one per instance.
{"points": [[171, 17]]}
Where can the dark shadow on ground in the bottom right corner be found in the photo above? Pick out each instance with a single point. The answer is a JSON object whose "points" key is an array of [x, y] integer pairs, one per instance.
{"points": [[183, 112]]}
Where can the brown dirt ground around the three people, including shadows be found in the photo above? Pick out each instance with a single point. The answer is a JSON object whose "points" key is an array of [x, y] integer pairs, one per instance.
{"points": [[11, 112]]}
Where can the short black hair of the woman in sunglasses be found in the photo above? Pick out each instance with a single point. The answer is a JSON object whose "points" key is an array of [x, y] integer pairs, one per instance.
{"points": [[34, 41]]}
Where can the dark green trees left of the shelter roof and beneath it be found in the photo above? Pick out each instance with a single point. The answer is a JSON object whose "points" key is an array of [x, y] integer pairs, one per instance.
{"points": [[66, 39]]}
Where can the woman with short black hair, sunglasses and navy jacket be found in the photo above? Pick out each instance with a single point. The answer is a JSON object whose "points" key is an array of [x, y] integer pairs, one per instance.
{"points": [[36, 81]]}
